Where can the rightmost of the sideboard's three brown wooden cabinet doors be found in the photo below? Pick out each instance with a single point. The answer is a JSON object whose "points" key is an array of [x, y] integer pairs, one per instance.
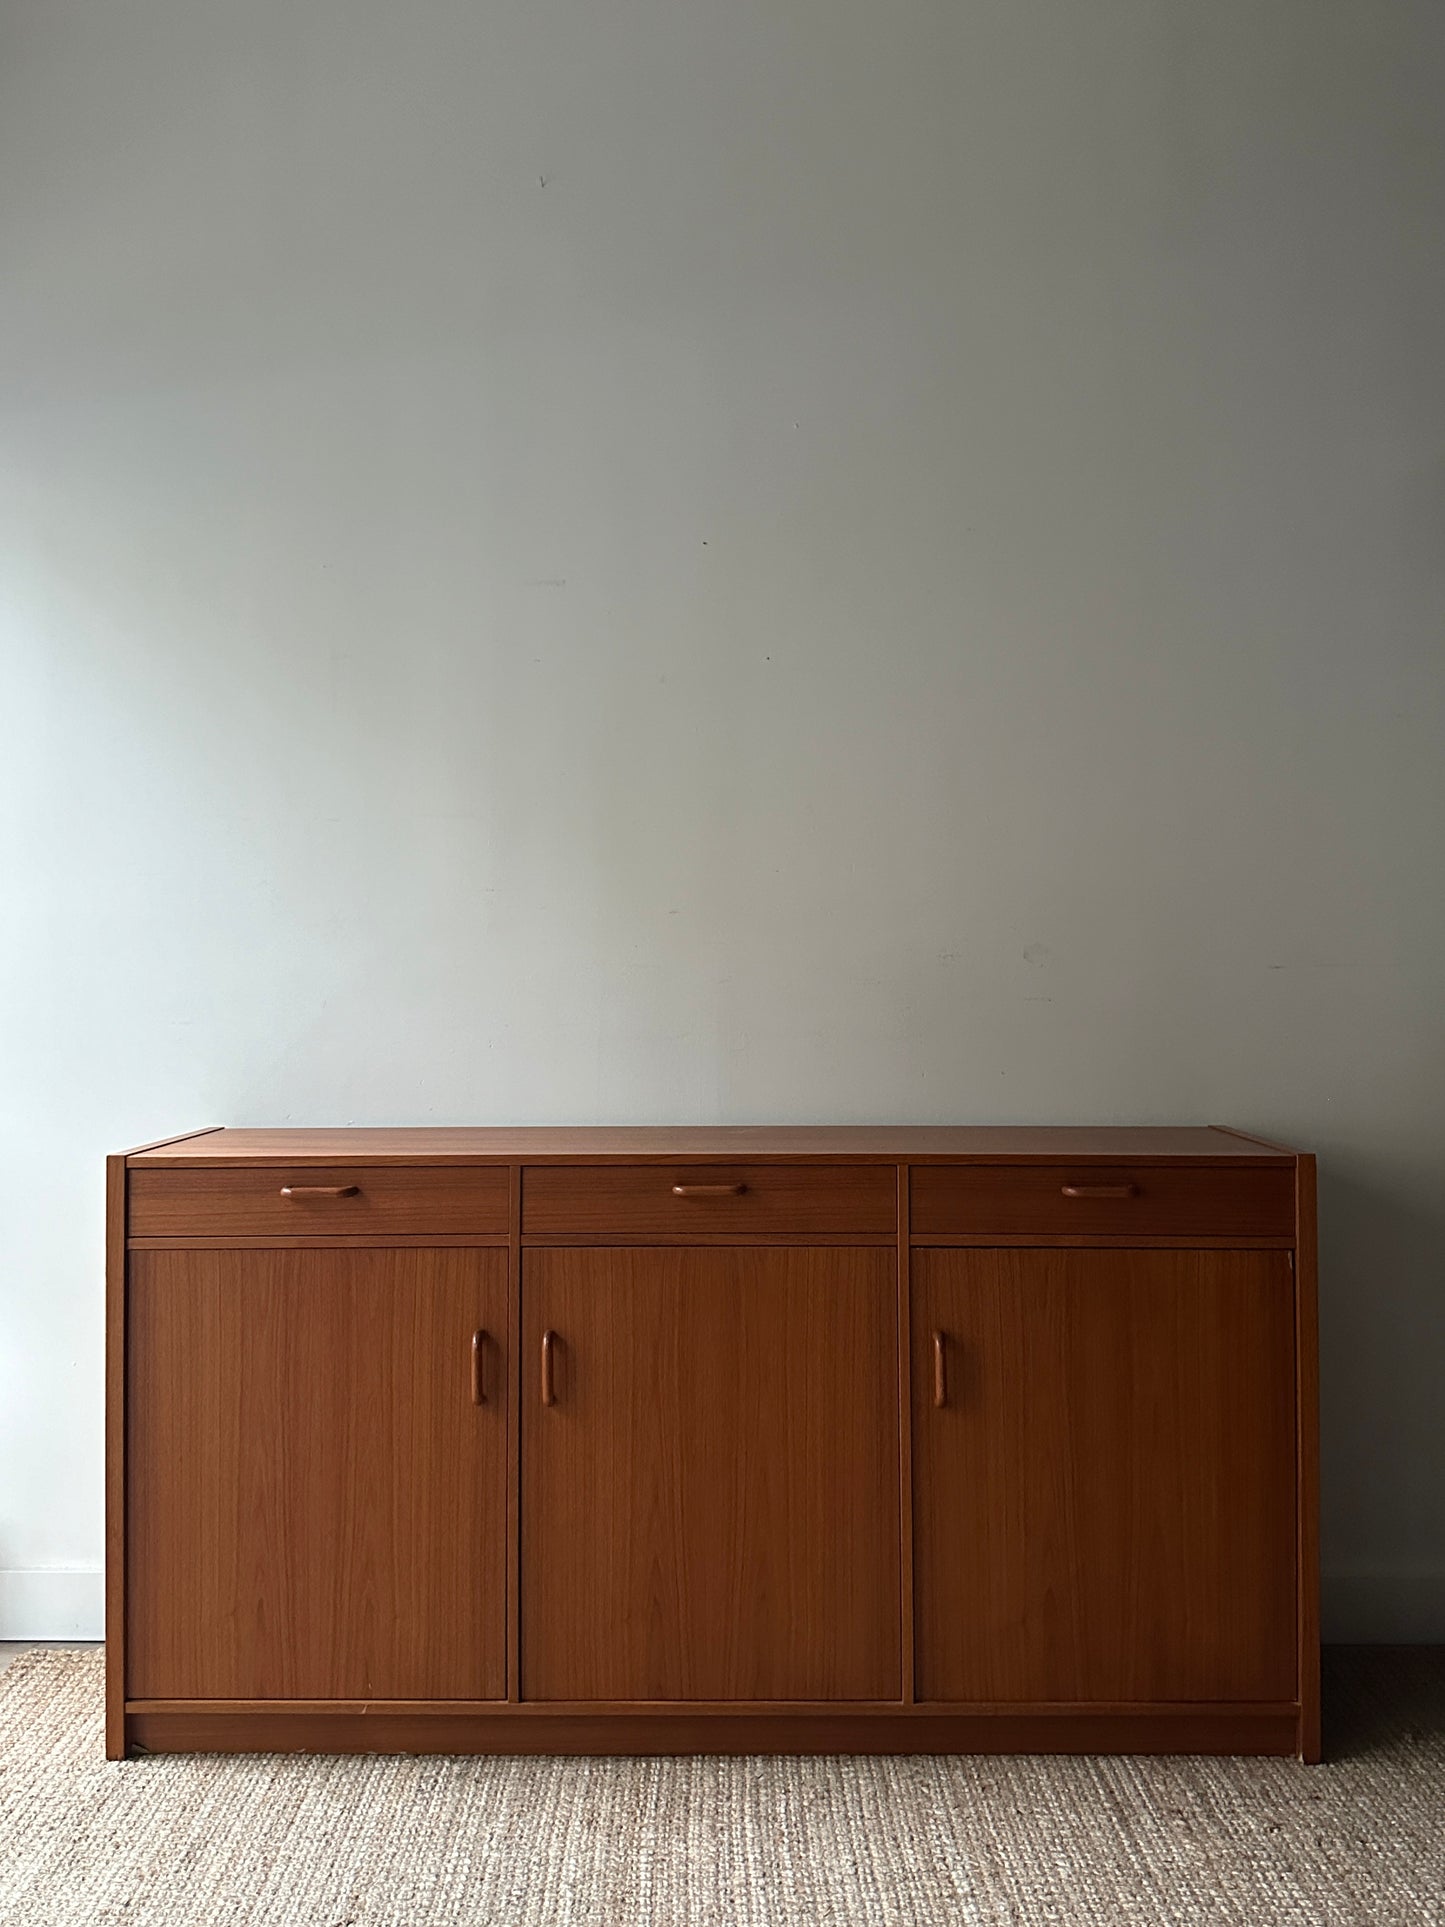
{"points": [[1105, 1498]]}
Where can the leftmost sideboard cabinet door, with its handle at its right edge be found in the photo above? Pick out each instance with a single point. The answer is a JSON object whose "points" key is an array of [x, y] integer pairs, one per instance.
{"points": [[317, 1502]]}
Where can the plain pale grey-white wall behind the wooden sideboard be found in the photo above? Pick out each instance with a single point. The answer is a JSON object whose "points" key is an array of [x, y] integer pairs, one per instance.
{"points": [[725, 560]]}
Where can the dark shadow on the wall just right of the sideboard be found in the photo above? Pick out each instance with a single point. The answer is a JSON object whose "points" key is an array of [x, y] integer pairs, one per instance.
{"points": [[1382, 1340]]}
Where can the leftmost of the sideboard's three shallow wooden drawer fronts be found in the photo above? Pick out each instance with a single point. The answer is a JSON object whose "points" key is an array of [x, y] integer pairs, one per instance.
{"points": [[319, 1201]]}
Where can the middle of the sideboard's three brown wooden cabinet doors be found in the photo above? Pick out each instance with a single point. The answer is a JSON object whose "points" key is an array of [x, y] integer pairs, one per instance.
{"points": [[710, 1475]]}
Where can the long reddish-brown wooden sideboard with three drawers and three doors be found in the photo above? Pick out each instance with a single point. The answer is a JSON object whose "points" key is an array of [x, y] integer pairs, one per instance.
{"points": [[712, 1440]]}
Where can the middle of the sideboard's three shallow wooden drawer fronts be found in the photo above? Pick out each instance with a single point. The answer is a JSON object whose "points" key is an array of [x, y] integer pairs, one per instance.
{"points": [[698, 1201]]}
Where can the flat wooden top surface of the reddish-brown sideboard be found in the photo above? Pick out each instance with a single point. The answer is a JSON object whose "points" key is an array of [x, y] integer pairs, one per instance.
{"points": [[964, 1144]]}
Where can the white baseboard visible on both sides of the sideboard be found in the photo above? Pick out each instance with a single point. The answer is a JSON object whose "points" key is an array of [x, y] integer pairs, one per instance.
{"points": [[1377, 1608]]}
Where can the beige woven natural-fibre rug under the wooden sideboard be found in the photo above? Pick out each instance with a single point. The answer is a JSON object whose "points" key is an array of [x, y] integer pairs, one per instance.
{"points": [[768, 1843]]}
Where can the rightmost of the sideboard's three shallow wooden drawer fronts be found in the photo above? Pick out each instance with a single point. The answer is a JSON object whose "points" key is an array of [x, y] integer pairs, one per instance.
{"points": [[1103, 1201]]}
